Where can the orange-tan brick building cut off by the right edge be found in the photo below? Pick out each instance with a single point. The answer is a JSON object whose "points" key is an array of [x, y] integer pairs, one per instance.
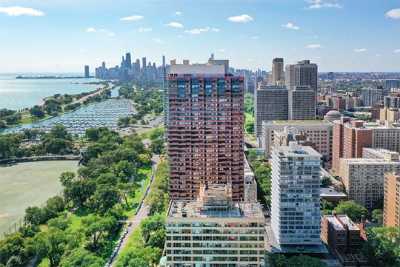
{"points": [[391, 210]]}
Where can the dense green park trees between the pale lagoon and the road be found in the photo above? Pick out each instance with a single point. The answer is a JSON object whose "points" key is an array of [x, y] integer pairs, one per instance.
{"points": [[82, 224]]}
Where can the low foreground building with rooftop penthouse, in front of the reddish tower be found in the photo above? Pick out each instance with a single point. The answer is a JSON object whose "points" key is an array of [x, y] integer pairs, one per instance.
{"points": [[215, 231]]}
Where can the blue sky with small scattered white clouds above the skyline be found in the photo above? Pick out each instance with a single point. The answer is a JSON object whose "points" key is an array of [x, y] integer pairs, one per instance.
{"points": [[64, 35]]}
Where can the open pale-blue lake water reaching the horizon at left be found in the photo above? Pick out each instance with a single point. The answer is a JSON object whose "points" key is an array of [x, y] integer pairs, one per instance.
{"points": [[25, 93]]}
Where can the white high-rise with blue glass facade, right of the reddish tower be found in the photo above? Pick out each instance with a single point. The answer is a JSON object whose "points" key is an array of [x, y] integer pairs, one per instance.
{"points": [[295, 213]]}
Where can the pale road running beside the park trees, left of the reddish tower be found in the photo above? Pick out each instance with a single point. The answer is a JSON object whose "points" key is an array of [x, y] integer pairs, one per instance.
{"points": [[134, 222]]}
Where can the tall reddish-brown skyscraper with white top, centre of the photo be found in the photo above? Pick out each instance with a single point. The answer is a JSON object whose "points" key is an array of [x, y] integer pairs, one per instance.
{"points": [[205, 129]]}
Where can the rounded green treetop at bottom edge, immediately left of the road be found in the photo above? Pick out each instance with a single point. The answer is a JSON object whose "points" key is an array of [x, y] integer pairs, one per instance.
{"points": [[80, 257]]}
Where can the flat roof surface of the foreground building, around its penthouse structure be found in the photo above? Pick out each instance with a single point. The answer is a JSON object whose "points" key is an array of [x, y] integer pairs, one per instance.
{"points": [[196, 209]]}
